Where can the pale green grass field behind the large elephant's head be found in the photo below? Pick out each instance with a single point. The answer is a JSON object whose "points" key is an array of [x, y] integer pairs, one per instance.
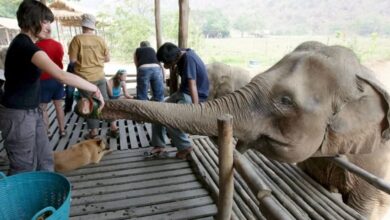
{"points": [[266, 51]]}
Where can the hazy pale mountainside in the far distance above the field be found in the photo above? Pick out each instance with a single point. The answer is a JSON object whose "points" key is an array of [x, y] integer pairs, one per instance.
{"points": [[289, 16]]}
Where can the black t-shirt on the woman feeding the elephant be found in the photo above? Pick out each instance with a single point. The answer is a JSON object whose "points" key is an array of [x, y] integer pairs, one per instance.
{"points": [[22, 88]]}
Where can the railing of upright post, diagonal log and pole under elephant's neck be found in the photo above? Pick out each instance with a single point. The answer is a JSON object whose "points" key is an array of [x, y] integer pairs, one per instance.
{"points": [[229, 159]]}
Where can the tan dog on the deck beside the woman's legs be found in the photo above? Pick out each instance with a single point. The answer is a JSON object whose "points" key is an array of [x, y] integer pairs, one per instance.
{"points": [[80, 154]]}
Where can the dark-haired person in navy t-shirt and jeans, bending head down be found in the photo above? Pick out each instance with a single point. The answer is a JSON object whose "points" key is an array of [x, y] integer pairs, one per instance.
{"points": [[194, 88]]}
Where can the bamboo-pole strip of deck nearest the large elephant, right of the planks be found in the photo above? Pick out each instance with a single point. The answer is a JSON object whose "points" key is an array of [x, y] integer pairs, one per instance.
{"points": [[295, 192]]}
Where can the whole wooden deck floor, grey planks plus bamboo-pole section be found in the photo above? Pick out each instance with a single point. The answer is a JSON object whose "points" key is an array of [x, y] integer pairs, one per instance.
{"points": [[125, 185]]}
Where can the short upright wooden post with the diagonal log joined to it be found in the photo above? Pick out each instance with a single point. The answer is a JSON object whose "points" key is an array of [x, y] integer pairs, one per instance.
{"points": [[228, 161]]}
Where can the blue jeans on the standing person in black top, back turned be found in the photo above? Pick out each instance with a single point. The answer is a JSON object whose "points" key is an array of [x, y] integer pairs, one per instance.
{"points": [[150, 76]]}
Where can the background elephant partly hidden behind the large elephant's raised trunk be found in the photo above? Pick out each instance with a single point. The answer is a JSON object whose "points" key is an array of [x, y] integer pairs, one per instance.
{"points": [[225, 79]]}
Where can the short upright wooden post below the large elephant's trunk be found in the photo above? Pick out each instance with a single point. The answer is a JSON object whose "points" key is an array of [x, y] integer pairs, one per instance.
{"points": [[226, 179]]}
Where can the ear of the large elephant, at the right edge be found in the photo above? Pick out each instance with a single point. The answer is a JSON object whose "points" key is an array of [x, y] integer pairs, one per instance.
{"points": [[361, 123]]}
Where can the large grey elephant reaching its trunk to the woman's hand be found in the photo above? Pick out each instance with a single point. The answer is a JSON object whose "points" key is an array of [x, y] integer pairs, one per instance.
{"points": [[317, 101]]}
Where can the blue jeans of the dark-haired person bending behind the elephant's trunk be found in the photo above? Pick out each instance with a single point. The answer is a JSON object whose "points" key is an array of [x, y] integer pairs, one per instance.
{"points": [[180, 140]]}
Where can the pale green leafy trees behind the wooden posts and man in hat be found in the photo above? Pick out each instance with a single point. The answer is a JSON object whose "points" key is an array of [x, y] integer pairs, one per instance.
{"points": [[133, 21]]}
